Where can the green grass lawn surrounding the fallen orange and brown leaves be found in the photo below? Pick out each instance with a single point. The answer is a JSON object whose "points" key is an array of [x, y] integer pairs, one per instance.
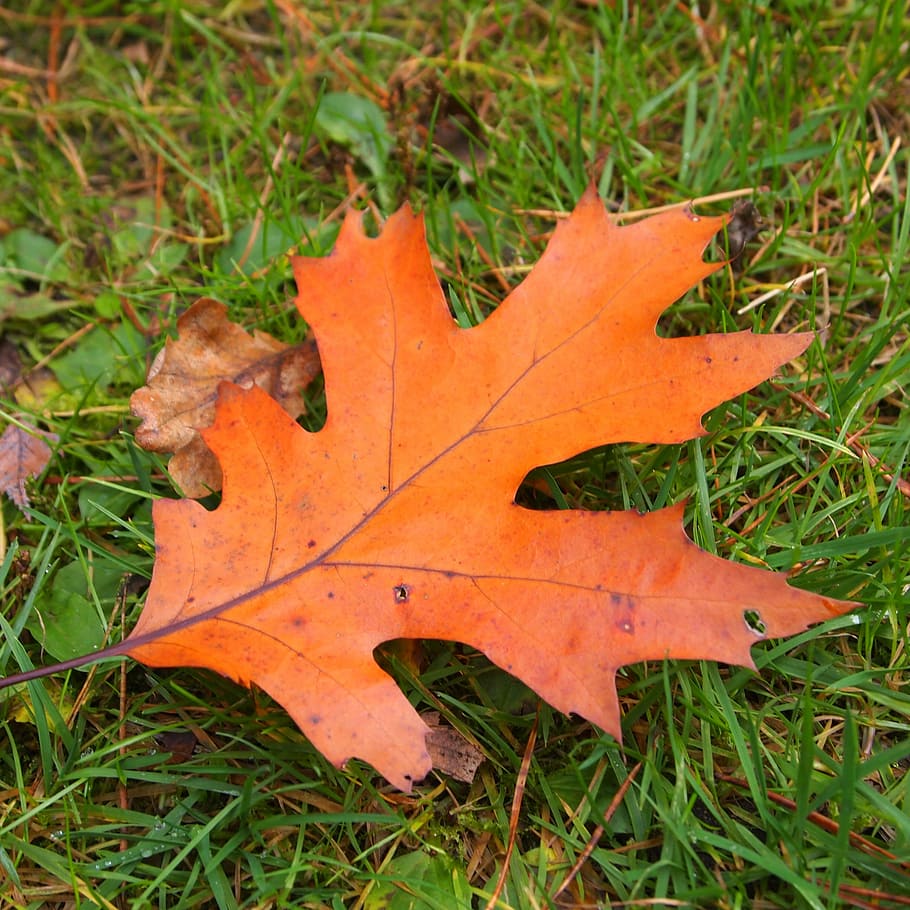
{"points": [[132, 185]]}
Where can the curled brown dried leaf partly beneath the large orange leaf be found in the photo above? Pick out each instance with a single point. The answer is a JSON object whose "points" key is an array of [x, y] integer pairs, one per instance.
{"points": [[179, 398]]}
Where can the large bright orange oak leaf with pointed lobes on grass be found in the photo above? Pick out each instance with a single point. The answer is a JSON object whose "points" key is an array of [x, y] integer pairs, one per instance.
{"points": [[397, 519]]}
